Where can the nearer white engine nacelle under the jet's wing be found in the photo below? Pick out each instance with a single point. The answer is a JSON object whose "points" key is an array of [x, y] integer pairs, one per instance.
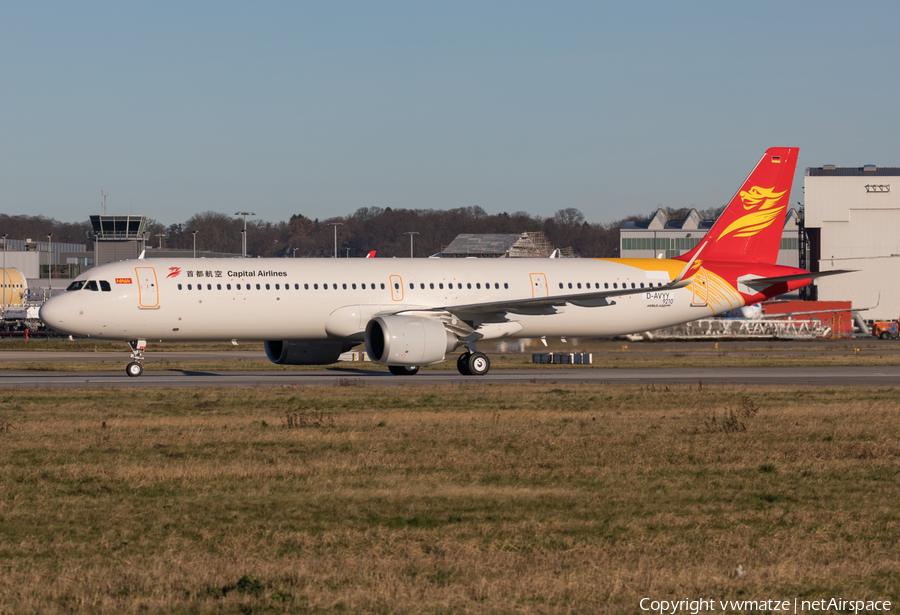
{"points": [[408, 340]]}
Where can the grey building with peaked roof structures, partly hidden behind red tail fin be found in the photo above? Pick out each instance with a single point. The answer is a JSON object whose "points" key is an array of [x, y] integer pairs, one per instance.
{"points": [[660, 237]]}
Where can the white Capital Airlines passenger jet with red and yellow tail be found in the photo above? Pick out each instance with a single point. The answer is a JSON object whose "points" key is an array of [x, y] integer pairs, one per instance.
{"points": [[412, 312]]}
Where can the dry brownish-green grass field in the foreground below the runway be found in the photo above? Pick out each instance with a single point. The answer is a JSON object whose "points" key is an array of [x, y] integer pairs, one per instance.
{"points": [[462, 499]]}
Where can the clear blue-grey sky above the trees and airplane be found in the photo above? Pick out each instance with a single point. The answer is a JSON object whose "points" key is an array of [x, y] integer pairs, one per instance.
{"points": [[320, 108]]}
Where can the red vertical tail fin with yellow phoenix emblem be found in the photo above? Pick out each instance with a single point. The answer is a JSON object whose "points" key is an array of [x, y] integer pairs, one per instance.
{"points": [[750, 228]]}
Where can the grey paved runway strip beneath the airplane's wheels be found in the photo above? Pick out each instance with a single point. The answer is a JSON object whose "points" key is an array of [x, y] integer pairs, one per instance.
{"points": [[811, 376]]}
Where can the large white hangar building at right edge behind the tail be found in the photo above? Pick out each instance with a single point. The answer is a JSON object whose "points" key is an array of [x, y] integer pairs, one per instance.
{"points": [[853, 222]]}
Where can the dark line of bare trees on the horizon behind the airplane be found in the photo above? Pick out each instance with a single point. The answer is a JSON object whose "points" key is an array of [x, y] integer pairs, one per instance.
{"points": [[368, 228]]}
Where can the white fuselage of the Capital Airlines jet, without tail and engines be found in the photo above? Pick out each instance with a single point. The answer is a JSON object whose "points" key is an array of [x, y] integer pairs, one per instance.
{"points": [[310, 299]]}
